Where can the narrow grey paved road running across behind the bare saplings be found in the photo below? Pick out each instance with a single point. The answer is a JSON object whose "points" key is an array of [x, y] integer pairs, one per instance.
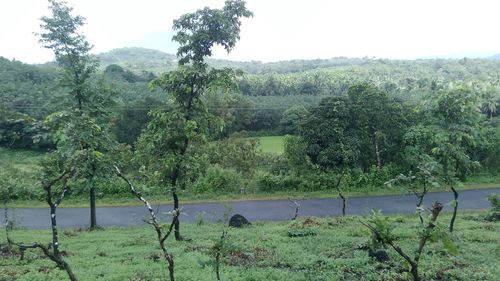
{"points": [[270, 210]]}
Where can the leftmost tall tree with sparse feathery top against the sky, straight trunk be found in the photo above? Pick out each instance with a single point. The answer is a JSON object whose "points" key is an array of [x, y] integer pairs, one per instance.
{"points": [[79, 127]]}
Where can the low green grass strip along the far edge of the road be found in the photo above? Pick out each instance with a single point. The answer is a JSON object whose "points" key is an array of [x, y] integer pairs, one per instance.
{"points": [[24, 164]]}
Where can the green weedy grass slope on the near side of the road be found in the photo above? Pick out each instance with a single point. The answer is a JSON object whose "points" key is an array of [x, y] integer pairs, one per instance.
{"points": [[263, 251]]}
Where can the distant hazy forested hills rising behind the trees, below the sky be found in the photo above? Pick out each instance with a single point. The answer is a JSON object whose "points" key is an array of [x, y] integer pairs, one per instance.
{"points": [[267, 89]]}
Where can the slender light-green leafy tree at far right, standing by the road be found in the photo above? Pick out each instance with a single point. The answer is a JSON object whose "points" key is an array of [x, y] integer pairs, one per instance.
{"points": [[454, 119]]}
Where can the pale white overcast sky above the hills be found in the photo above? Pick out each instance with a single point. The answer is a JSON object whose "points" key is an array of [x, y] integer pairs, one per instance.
{"points": [[280, 29]]}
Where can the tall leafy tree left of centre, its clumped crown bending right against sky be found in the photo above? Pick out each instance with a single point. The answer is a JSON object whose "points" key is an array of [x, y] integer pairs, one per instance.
{"points": [[169, 135]]}
